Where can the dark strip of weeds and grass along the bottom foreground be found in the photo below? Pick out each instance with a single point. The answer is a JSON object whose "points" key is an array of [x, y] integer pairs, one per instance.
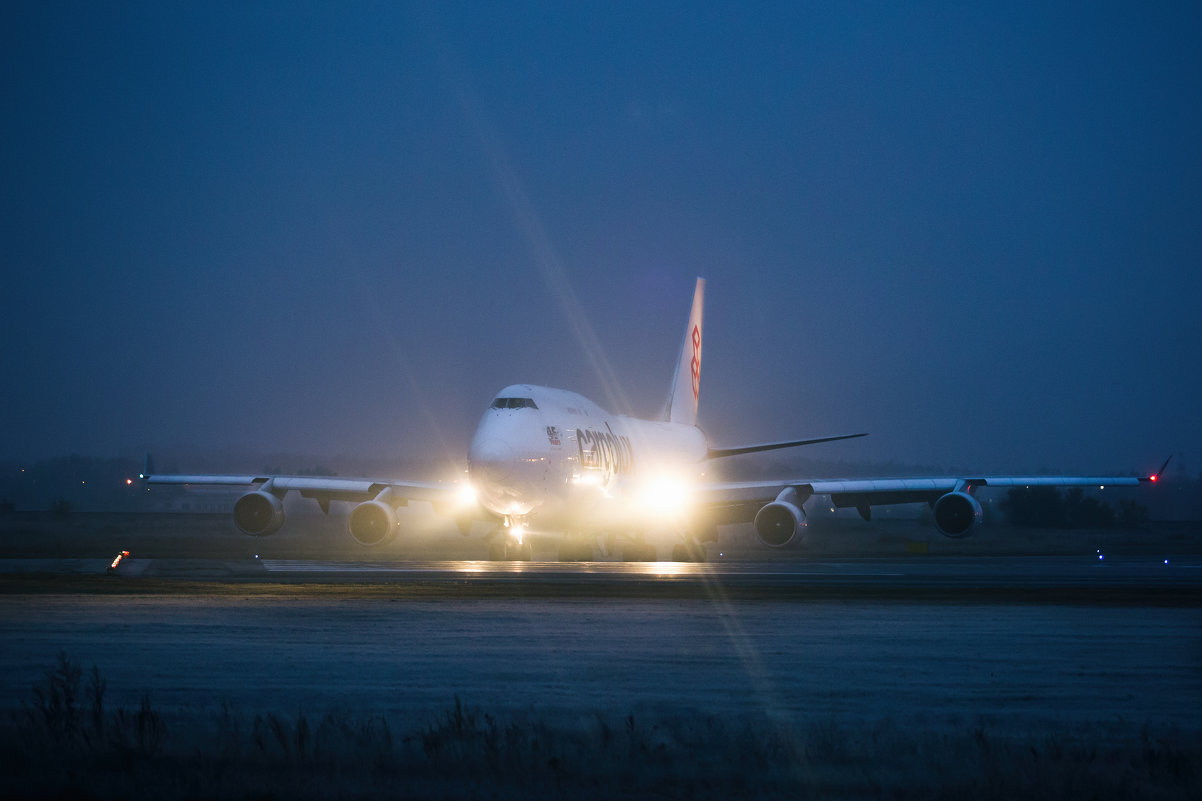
{"points": [[64, 743]]}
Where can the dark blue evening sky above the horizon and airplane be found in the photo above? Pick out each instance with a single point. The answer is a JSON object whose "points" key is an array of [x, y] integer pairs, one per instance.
{"points": [[340, 229]]}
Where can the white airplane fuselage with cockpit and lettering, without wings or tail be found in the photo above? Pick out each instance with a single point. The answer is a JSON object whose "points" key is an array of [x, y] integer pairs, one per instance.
{"points": [[558, 458]]}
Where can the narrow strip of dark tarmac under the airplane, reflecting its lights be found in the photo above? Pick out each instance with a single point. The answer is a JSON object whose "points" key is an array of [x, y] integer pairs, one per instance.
{"points": [[1099, 578]]}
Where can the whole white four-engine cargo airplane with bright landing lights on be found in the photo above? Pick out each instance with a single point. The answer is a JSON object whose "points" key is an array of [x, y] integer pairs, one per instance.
{"points": [[557, 461]]}
